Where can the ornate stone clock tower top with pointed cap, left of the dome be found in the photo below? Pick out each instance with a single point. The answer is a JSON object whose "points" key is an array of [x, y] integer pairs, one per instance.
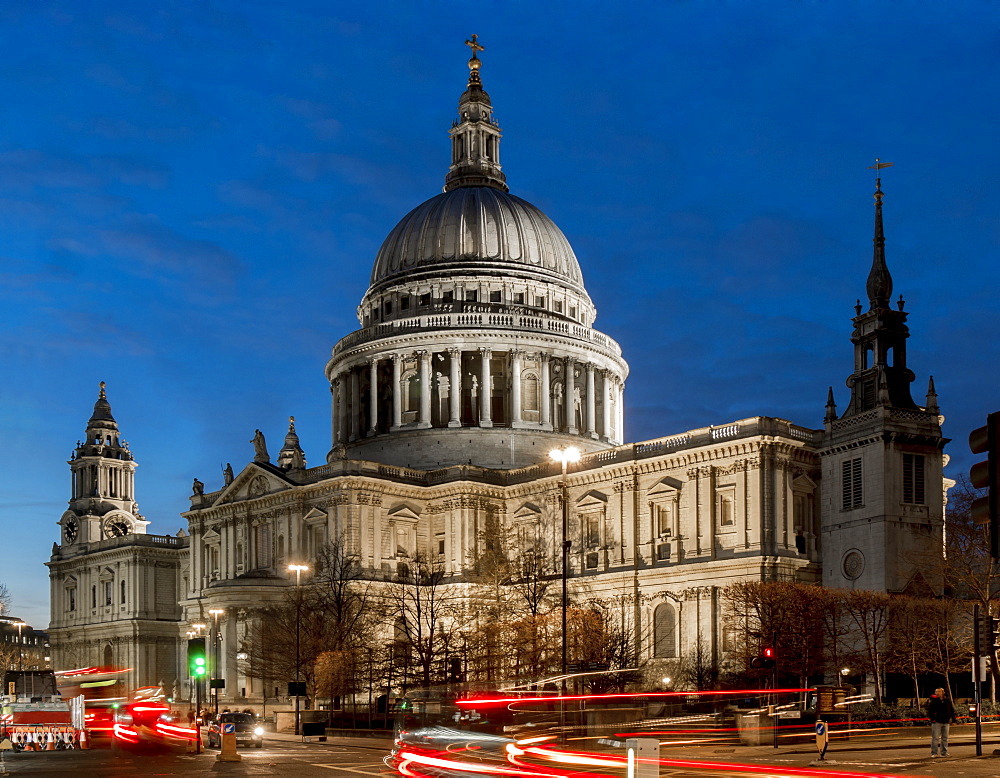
{"points": [[103, 503]]}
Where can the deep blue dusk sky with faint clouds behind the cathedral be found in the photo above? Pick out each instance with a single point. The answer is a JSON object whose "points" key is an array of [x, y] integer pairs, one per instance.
{"points": [[192, 195]]}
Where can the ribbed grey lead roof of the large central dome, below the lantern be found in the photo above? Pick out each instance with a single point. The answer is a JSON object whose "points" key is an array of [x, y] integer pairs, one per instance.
{"points": [[477, 228]]}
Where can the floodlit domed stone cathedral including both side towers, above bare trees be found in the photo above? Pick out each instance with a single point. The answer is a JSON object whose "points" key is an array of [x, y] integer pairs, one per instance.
{"points": [[475, 357]]}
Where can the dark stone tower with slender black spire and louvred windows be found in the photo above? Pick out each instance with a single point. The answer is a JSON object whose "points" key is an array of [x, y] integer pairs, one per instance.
{"points": [[883, 501]]}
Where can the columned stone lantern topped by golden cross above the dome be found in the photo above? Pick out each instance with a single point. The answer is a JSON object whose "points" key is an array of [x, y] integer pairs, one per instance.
{"points": [[475, 135]]}
